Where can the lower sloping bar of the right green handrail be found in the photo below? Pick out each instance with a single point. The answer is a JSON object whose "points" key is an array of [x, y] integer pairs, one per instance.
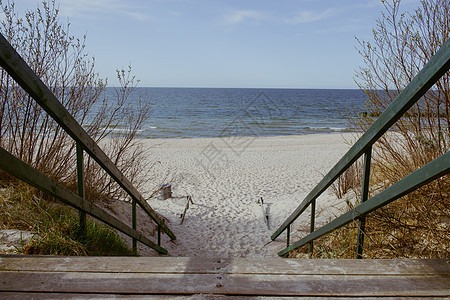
{"points": [[431, 171]]}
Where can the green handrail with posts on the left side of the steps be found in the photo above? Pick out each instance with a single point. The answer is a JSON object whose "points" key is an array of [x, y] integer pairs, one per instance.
{"points": [[19, 70]]}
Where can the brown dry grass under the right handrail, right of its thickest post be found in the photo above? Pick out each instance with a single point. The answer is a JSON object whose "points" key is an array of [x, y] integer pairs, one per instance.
{"points": [[415, 226]]}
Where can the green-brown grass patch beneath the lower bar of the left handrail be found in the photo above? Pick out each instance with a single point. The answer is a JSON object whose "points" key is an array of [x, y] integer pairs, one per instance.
{"points": [[55, 226]]}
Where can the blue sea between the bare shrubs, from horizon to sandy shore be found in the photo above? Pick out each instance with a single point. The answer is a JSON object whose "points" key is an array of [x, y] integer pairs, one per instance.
{"points": [[214, 112]]}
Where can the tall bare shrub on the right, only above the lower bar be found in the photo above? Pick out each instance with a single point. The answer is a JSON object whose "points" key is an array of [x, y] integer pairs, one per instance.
{"points": [[402, 44]]}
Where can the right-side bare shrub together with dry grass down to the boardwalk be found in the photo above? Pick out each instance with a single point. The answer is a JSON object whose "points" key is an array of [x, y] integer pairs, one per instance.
{"points": [[416, 225]]}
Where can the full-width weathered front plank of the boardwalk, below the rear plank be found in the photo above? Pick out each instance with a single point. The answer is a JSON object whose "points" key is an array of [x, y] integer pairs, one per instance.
{"points": [[227, 284]]}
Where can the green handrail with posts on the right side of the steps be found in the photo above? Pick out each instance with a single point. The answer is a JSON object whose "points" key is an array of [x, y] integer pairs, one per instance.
{"points": [[438, 65]]}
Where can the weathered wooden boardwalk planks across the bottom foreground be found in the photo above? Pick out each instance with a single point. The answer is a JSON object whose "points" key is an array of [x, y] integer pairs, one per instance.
{"points": [[168, 277]]}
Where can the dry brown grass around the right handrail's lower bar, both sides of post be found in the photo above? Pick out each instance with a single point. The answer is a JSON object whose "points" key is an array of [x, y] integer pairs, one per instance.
{"points": [[414, 226]]}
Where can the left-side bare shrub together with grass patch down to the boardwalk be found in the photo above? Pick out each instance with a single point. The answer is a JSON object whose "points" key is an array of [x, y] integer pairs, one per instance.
{"points": [[26, 131]]}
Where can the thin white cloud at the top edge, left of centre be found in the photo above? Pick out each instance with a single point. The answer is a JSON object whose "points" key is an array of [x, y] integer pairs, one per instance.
{"points": [[94, 8]]}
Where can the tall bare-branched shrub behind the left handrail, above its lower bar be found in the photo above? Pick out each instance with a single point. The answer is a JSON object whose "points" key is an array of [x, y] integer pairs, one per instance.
{"points": [[60, 60]]}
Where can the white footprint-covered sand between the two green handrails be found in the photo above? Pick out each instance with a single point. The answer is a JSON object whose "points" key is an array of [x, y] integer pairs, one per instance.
{"points": [[226, 177]]}
